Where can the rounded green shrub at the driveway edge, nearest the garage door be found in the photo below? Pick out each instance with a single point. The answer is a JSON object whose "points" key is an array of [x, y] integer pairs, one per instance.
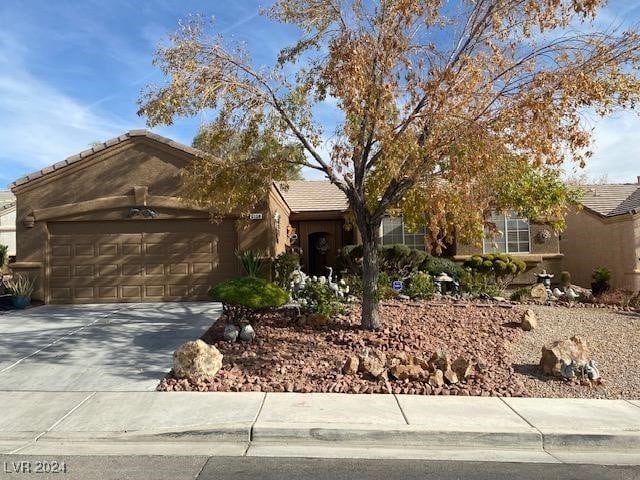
{"points": [[246, 299]]}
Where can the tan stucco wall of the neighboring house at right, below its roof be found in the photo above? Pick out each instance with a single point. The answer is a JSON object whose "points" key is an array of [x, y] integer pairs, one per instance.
{"points": [[591, 241]]}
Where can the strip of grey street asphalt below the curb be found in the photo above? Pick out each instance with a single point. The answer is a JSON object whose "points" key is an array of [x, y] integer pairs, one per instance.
{"points": [[245, 468]]}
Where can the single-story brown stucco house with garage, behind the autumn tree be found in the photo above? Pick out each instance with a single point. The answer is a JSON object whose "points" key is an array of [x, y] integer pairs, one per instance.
{"points": [[107, 225]]}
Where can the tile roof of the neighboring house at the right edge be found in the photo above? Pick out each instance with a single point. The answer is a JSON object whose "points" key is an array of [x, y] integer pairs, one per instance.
{"points": [[612, 199]]}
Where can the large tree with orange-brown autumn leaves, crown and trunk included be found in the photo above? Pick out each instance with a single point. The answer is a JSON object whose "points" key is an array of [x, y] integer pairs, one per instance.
{"points": [[438, 99]]}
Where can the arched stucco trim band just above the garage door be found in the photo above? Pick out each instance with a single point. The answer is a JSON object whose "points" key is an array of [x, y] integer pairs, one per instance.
{"points": [[107, 203]]}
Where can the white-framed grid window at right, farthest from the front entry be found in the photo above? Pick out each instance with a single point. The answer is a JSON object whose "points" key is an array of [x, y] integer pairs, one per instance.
{"points": [[513, 235]]}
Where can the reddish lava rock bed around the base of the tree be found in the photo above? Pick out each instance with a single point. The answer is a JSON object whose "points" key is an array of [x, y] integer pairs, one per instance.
{"points": [[289, 358]]}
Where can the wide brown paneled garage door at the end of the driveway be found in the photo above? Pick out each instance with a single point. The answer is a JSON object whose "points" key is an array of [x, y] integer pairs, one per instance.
{"points": [[138, 261]]}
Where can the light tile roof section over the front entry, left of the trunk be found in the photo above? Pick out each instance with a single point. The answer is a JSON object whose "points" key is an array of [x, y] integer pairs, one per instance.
{"points": [[313, 196]]}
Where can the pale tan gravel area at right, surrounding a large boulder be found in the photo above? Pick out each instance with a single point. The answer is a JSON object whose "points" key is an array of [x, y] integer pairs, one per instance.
{"points": [[612, 340]]}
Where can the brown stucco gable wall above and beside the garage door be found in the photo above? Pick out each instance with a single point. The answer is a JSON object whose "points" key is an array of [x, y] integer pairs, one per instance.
{"points": [[112, 176]]}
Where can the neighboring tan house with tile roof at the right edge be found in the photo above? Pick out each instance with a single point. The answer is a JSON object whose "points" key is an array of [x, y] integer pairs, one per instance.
{"points": [[605, 233]]}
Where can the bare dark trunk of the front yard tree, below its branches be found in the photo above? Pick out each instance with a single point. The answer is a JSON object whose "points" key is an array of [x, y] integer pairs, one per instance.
{"points": [[370, 272]]}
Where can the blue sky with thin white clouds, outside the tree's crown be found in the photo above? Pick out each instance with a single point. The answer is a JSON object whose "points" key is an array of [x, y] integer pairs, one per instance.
{"points": [[71, 72]]}
